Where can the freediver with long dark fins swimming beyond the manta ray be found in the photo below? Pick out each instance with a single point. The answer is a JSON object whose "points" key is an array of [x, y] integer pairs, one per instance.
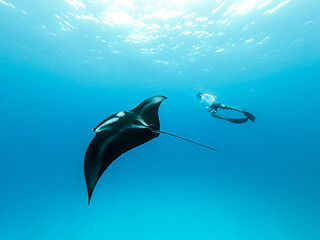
{"points": [[212, 105]]}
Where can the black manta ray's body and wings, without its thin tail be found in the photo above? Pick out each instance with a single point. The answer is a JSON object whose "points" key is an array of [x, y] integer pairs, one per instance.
{"points": [[118, 134]]}
